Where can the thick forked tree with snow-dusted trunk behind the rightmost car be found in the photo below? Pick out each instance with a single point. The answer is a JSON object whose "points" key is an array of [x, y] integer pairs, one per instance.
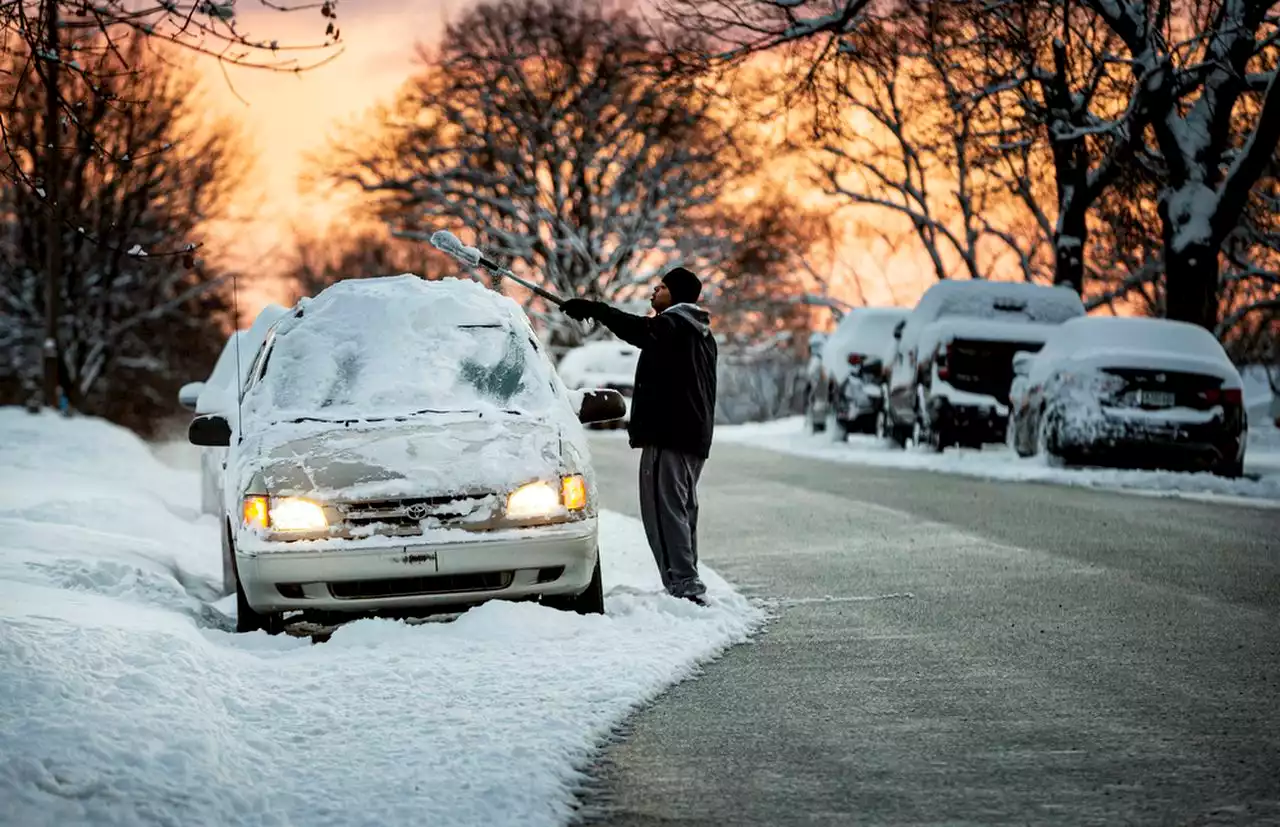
{"points": [[1210, 70]]}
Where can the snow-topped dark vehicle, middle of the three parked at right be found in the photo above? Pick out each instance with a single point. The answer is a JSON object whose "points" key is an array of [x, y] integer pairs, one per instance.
{"points": [[953, 365]]}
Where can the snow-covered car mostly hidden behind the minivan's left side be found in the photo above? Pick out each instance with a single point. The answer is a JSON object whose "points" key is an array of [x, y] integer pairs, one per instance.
{"points": [[218, 394]]}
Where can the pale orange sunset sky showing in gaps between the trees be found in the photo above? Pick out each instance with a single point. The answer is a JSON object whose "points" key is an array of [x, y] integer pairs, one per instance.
{"points": [[287, 116]]}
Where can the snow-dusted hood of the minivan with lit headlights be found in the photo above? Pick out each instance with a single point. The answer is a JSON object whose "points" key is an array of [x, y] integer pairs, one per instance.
{"points": [[420, 459]]}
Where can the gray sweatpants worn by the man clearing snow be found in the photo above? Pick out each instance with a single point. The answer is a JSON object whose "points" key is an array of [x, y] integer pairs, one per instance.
{"points": [[669, 506]]}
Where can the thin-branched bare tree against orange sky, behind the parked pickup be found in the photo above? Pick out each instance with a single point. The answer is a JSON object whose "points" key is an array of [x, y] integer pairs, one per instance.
{"points": [[904, 131]]}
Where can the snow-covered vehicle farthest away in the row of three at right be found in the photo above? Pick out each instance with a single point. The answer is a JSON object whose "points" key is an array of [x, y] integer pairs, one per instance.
{"points": [[848, 392]]}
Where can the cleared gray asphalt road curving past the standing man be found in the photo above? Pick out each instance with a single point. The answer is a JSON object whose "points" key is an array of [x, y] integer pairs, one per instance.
{"points": [[952, 651]]}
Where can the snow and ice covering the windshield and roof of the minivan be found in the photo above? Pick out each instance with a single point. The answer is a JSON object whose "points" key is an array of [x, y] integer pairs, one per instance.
{"points": [[396, 346]]}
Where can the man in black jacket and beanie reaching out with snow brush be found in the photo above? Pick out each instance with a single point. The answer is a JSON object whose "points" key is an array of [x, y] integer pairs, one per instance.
{"points": [[673, 418]]}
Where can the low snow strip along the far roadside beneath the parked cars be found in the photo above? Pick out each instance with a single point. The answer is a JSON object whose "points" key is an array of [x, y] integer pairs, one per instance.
{"points": [[995, 463]]}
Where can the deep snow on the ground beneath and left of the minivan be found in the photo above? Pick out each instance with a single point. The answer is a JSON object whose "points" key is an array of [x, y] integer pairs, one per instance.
{"points": [[126, 701]]}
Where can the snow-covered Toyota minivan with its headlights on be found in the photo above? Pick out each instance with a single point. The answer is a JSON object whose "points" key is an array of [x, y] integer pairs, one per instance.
{"points": [[405, 446]]}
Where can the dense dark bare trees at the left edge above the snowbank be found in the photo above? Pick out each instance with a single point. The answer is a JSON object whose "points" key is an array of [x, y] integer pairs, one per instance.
{"points": [[131, 326]]}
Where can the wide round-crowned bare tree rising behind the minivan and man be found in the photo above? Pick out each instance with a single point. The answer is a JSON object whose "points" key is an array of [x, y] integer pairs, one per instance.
{"points": [[560, 136]]}
